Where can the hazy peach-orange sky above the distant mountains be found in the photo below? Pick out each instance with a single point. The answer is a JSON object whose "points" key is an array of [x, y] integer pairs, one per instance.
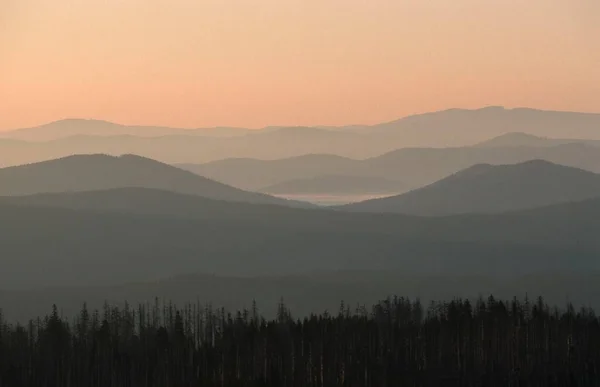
{"points": [[196, 63]]}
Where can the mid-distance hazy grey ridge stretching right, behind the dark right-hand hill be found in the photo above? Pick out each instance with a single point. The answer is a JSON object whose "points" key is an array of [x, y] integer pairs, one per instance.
{"points": [[414, 167]]}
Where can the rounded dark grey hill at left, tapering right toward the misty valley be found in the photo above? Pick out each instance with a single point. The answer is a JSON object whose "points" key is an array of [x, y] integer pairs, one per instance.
{"points": [[100, 172]]}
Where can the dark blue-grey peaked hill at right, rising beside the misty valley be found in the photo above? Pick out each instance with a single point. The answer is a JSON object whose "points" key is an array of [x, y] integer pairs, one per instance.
{"points": [[484, 188]]}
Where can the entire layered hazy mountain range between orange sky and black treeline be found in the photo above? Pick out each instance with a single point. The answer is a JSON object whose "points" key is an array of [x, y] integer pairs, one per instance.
{"points": [[512, 205]]}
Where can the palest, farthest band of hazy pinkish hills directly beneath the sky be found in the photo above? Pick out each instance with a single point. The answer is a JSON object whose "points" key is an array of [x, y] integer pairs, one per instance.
{"points": [[449, 128]]}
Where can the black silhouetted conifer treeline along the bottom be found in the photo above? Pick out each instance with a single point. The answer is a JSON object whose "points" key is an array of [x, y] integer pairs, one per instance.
{"points": [[395, 343]]}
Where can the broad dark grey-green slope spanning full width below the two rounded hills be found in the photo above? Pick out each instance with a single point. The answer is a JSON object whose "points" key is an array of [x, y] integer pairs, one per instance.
{"points": [[100, 242]]}
